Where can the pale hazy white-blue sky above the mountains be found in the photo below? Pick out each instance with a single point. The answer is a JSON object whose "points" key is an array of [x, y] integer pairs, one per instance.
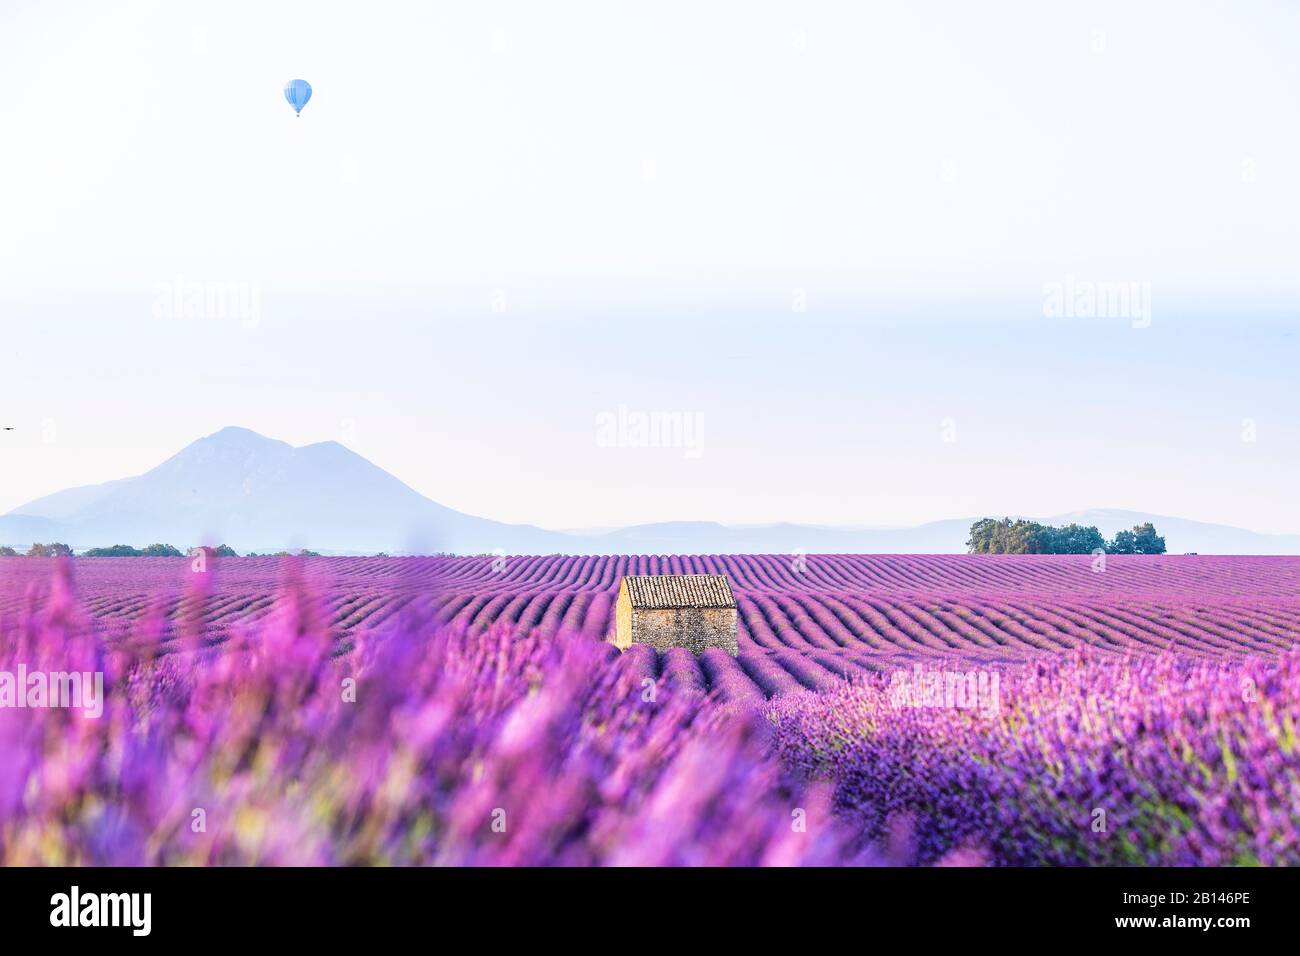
{"points": [[825, 236]]}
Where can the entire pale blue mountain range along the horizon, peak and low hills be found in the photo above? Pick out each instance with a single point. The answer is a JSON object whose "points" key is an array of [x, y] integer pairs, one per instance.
{"points": [[257, 494]]}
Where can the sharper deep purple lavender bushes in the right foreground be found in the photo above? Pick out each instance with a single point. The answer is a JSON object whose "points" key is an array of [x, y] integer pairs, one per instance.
{"points": [[1087, 762]]}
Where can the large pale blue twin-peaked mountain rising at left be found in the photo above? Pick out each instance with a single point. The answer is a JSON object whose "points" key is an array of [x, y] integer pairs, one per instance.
{"points": [[257, 494]]}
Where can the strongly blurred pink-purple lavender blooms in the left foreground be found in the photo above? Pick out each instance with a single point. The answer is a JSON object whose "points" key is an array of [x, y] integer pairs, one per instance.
{"points": [[496, 750]]}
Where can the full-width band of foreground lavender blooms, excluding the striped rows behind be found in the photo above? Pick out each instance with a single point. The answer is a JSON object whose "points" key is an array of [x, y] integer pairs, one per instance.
{"points": [[294, 741]]}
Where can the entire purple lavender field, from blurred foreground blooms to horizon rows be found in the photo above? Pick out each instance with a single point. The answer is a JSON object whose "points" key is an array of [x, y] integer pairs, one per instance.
{"points": [[977, 711]]}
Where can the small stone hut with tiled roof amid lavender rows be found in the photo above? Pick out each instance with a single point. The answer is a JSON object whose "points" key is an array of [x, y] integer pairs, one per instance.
{"points": [[696, 612]]}
